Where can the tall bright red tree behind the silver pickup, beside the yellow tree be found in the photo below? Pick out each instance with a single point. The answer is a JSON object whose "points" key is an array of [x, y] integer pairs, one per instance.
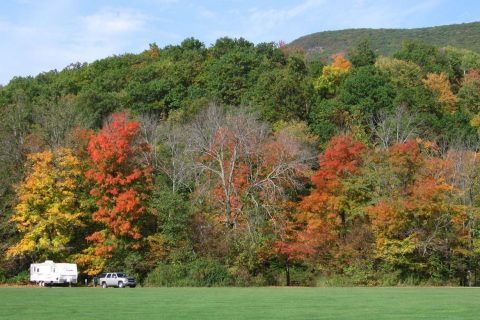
{"points": [[121, 188]]}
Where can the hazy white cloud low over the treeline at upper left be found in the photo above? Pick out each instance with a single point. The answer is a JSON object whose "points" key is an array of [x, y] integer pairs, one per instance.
{"points": [[46, 41]]}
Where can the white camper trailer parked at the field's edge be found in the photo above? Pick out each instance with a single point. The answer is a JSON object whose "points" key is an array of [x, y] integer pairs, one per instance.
{"points": [[49, 272]]}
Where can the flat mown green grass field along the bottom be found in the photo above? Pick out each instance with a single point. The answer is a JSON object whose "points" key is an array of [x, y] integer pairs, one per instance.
{"points": [[239, 303]]}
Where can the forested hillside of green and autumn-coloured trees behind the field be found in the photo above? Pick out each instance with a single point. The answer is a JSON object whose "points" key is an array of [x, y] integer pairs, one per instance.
{"points": [[243, 164]]}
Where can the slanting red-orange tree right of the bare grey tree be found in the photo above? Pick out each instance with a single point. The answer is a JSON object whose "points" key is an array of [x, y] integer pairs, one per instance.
{"points": [[322, 217]]}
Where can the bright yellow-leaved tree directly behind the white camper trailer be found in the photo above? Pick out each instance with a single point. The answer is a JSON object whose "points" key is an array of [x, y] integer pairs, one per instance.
{"points": [[48, 212]]}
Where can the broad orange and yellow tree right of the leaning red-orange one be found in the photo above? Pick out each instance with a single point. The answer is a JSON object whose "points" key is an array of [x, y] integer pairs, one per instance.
{"points": [[415, 220]]}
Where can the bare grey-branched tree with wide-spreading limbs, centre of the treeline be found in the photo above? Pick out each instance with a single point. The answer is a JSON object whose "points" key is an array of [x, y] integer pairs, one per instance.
{"points": [[241, 159]]}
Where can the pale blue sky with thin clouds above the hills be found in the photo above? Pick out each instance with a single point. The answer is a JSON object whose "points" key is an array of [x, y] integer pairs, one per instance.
{"points": [[41, 35]]}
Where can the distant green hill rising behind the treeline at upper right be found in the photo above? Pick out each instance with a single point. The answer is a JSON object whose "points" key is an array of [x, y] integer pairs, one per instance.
{"points": [[388, 41]]}
